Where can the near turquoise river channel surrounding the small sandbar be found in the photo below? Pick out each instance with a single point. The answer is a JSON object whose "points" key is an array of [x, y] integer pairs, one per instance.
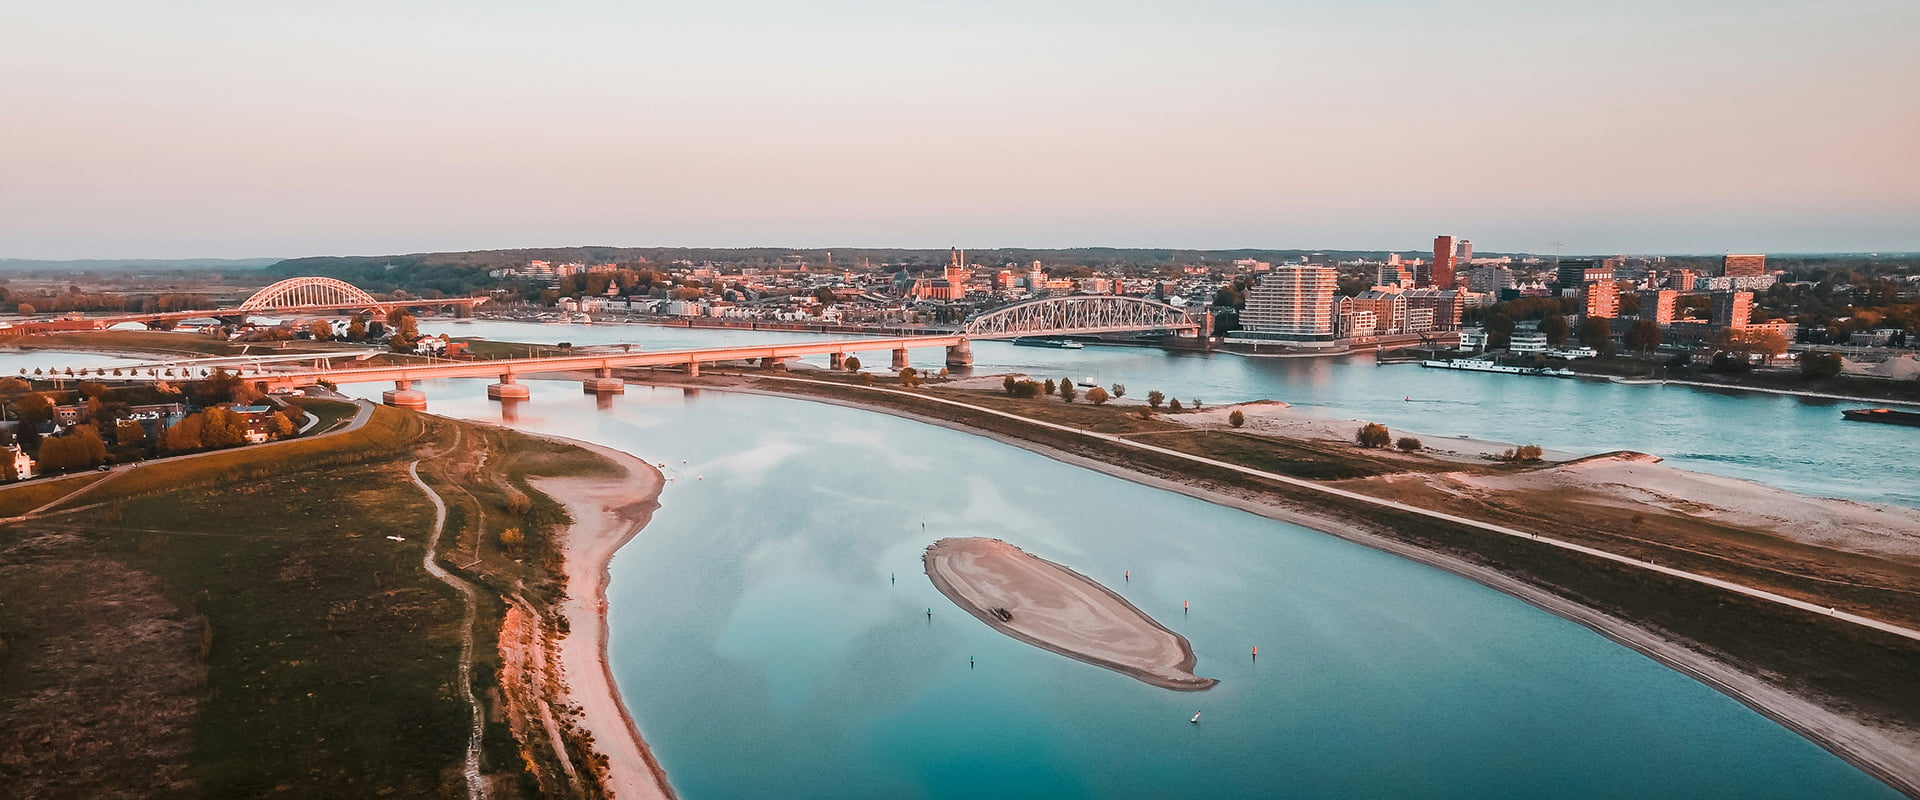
{"points": [[771, 632]]}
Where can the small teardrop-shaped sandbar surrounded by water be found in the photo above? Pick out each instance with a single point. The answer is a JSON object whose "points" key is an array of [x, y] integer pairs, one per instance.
{"points": [[1057, 609]]}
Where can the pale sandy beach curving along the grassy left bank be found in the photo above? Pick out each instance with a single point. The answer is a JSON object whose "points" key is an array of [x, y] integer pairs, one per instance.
{"points": [[608, 513]]}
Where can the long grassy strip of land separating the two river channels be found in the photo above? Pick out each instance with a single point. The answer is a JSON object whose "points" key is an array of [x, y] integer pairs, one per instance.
{"points": [[1844, 686]]}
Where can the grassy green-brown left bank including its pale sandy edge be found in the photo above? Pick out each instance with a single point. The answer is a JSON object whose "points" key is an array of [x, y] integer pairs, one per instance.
{"points": [[260, 623]]}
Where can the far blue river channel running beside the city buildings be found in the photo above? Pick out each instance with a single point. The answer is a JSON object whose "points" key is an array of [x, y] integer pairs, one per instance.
{"points": [[1788, 442]]}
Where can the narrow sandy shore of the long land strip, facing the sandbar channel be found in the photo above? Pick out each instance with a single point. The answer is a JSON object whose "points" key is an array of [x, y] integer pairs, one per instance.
{"points": [[1886, 753]]}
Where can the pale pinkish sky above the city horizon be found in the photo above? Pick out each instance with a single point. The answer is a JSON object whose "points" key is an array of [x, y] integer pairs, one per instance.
{"points": [[249, 129]]}
